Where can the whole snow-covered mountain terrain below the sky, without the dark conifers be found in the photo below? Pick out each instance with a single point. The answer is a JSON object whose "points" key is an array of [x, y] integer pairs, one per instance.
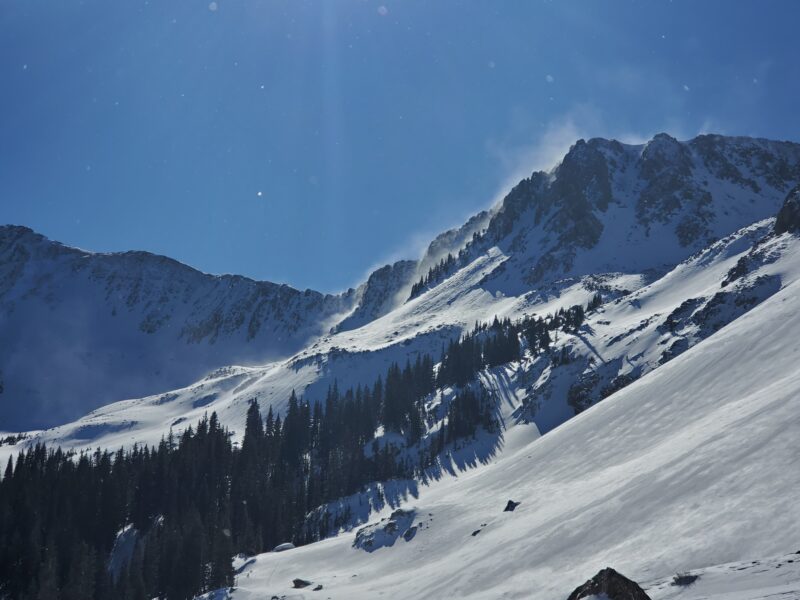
{"points": [[687, 463]]}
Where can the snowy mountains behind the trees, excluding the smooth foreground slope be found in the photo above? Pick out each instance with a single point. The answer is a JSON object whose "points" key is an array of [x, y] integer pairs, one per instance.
{"points": [[635, 223]]}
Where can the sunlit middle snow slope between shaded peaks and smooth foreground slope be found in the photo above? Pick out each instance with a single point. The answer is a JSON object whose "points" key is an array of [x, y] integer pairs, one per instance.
{"points": [[623, 340]]}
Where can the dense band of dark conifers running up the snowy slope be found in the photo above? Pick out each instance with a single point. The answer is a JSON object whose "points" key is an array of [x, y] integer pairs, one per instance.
{"points": [[197, 499]]}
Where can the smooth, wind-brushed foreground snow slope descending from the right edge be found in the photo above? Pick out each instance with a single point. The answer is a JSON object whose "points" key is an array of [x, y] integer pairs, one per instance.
{"points": [[693, 465]]}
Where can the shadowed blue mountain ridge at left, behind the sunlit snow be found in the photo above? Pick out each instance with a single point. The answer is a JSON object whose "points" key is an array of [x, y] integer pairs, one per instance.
{"points": [[82, 329]]}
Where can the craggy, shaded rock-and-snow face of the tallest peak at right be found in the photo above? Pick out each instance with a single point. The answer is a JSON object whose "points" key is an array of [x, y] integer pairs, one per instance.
{"points": [[611, 207]]}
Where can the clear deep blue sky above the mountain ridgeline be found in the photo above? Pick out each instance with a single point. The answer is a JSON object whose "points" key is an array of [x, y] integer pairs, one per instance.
{"points": [[307, 141]]}
